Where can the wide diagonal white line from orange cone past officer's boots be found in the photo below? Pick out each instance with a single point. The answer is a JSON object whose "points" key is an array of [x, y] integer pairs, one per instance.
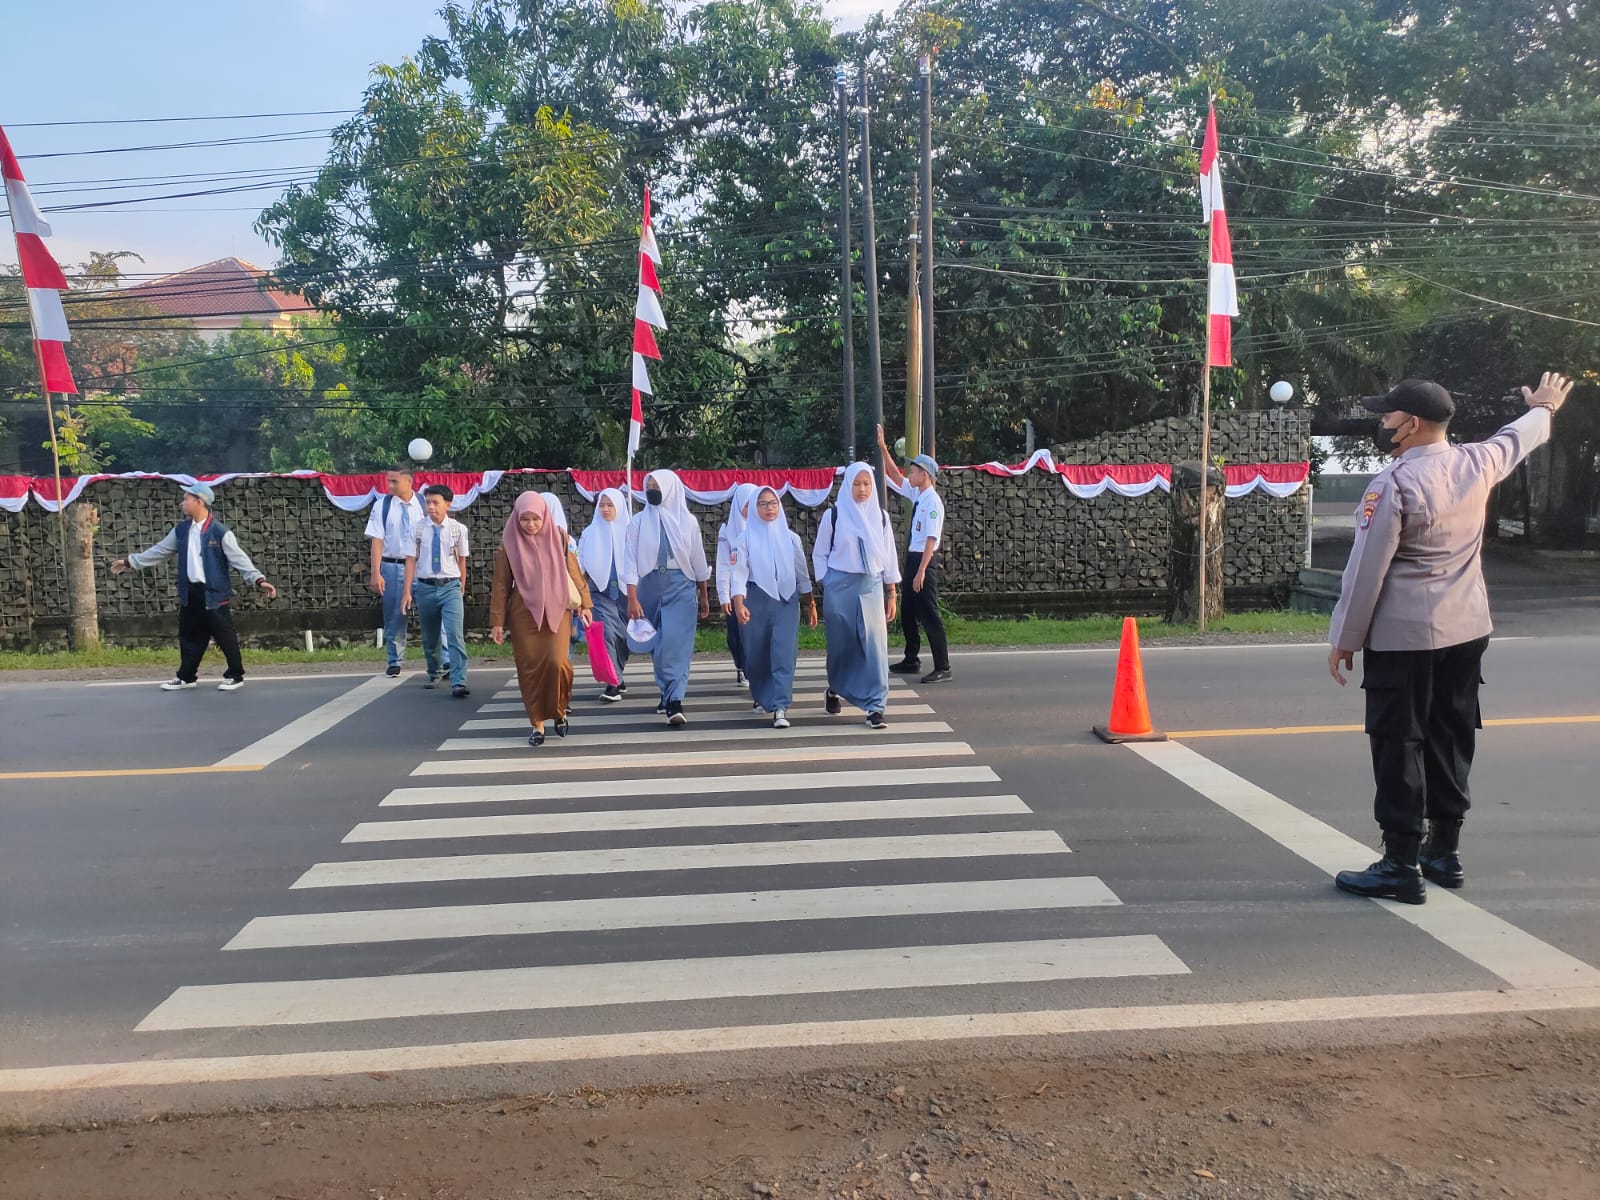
{"points": [[1516, 956]]}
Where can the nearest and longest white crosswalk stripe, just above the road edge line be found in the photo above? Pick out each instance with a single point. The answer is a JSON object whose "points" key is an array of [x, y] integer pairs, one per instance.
{"points": [[594, 985]]}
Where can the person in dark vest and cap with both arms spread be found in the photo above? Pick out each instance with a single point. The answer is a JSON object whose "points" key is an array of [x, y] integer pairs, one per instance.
{"points": [[206, 550]]}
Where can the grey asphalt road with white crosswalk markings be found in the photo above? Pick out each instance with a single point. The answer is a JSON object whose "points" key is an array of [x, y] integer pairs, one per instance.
{"points": [[982, 865]]}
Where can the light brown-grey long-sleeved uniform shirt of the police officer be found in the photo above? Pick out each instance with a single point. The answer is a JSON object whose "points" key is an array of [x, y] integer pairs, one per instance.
{"points": [[1415, 578]]}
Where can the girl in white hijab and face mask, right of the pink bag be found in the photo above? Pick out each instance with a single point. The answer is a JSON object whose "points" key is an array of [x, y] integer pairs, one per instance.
{"points": [[666, 577]]}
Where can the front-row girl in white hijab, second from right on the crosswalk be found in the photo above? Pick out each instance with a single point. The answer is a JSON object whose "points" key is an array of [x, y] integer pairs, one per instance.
{"points": [[770, 575]]}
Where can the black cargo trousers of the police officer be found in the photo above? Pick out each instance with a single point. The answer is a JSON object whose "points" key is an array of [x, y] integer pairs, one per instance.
{"points": [[1423, 721]]}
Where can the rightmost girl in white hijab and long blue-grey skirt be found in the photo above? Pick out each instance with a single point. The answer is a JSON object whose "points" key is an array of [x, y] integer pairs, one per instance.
{"points": [[855, 562]]}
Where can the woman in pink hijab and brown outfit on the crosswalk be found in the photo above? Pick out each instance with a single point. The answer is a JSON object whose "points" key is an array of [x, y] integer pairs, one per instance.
{"points": [[535, 580]]}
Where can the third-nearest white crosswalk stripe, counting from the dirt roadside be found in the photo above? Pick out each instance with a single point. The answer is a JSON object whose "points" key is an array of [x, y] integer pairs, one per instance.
{"points": [[718, 857]]}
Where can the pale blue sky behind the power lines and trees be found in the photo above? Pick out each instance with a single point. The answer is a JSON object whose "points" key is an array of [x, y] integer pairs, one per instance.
{"points": [[193, 58]]}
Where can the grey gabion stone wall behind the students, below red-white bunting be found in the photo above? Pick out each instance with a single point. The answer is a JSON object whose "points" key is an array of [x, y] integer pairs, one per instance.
{"points": [[1012, 545]]}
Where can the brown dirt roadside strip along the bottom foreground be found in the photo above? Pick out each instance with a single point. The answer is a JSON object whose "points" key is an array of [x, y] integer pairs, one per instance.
{"points": [[1450, 1119]]}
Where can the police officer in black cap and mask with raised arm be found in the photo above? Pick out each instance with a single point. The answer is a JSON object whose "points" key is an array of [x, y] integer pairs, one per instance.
{"points": [[1414, 604]]}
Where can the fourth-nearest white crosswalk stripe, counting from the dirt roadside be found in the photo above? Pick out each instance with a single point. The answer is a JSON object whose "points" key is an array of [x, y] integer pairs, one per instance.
{"points": [[815, 812]]}
